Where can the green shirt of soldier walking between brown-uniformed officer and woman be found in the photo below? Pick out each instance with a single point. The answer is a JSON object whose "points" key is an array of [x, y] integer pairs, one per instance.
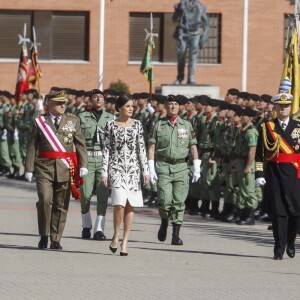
{"points": [[93, 129]]}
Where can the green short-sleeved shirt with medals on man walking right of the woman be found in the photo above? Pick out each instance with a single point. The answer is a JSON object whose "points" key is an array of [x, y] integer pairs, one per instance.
{"points": [[172, 143]]}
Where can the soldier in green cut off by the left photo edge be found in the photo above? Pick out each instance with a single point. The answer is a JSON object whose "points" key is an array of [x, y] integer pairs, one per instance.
{"points": [[5, 160]]}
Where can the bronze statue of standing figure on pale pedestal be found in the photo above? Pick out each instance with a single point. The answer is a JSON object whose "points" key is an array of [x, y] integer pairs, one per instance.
{"points": [[189, 14]]}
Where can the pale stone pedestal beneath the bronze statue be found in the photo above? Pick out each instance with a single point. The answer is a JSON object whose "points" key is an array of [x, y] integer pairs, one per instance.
{"points": [[191, 90]]}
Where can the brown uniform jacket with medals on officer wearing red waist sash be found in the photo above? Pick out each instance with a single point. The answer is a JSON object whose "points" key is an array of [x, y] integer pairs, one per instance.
{"points": [[69, 134]]}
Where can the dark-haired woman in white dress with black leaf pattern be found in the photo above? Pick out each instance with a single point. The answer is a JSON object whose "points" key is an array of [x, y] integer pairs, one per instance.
{"points": [[124, 162]]}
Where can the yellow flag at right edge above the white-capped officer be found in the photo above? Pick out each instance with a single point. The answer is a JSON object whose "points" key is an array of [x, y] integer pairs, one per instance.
{"points": [[290, 76]]}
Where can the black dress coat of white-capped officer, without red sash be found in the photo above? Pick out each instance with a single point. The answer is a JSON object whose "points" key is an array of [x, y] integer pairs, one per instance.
{"points": [[282, 184]]}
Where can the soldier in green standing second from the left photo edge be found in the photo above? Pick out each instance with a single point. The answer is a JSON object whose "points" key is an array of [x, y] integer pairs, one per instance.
{"points": [[10, 118]]}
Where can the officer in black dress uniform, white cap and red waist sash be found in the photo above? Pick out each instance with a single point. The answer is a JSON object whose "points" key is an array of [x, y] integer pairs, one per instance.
{"points": [[279, 145]]}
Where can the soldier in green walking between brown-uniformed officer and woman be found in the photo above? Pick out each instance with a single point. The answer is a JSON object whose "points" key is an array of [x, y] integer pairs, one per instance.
{"points": [[92, 124]]}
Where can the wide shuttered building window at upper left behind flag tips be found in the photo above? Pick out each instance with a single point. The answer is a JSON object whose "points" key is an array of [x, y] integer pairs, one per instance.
{"points": [[63, 35]]}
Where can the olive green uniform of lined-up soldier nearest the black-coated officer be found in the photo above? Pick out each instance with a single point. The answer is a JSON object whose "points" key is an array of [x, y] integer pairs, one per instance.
{"points": [[246, 196]]}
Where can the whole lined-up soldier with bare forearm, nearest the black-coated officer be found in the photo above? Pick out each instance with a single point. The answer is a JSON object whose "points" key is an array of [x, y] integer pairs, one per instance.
{"points": [[245, 168]]}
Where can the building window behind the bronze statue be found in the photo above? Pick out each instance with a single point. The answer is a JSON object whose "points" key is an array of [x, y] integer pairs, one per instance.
{"points": [[165, 50]]}
